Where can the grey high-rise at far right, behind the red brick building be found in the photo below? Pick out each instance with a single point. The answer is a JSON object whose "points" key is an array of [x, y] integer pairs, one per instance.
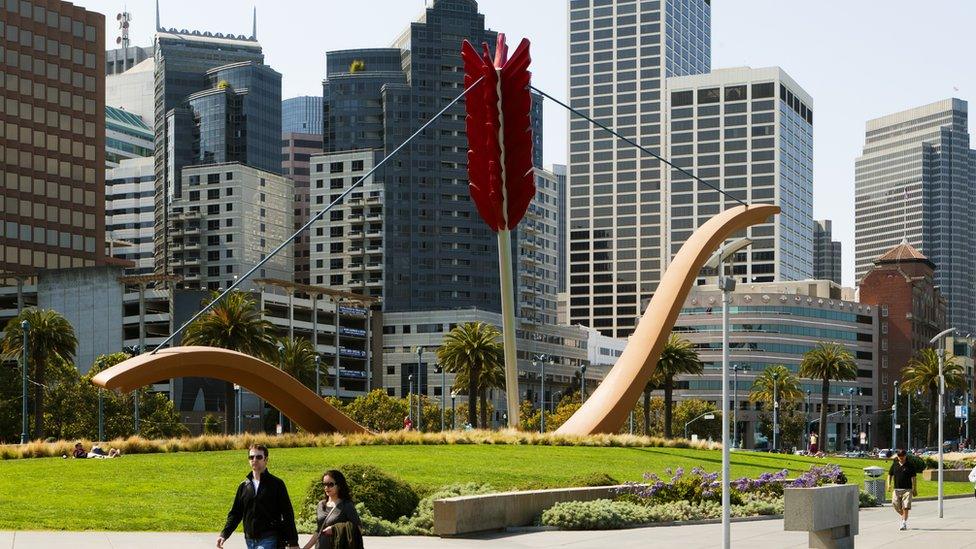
{"points": [[915, 181]]}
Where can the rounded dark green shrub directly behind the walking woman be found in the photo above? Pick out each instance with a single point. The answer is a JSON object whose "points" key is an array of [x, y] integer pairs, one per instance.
{"points": [[385, 496]]}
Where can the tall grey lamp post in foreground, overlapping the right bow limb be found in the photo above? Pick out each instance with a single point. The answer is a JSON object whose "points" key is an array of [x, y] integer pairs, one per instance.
{"points": [[727, 286]]}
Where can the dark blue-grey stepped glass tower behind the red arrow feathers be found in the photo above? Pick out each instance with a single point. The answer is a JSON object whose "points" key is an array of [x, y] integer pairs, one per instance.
{"points": [[437, 253]]}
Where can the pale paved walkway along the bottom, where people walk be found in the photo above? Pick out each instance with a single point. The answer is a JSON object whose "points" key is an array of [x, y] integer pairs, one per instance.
{"points": [[879, 528]]}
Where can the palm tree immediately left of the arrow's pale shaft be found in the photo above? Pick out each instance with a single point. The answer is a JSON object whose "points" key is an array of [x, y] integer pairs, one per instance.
{"points": [[467, 351]]}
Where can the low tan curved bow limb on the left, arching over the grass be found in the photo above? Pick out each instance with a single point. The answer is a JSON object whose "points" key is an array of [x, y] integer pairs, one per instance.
{"points": [[282, 391]]}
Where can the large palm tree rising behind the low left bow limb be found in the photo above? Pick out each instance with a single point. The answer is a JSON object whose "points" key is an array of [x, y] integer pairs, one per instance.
{"points": [[236, 324]]}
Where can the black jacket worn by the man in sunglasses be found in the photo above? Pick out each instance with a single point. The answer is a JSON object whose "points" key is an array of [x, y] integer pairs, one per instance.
{"points": [[266, 513]]}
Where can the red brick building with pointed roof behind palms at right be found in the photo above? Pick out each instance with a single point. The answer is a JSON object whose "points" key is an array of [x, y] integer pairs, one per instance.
{"points": [[911, 309]]}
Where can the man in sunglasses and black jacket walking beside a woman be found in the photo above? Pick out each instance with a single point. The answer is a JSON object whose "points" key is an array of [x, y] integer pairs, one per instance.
{"points": [[262, 503]]}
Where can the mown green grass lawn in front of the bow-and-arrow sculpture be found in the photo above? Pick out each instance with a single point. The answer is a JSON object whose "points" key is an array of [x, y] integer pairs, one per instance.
{"points": [[192, 491]]}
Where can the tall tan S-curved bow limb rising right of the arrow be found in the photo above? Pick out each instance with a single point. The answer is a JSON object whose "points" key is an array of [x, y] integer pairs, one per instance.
{"points": [[608, 407]]}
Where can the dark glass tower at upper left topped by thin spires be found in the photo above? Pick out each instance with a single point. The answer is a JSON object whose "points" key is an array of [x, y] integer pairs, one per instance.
{"points": [[182, 62]]}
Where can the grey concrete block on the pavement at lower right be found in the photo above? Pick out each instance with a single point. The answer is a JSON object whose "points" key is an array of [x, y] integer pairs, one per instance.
{"points": [[829, 513]]}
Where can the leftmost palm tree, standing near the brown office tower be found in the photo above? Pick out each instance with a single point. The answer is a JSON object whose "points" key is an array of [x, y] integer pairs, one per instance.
{"points": [[50, 338]]}
